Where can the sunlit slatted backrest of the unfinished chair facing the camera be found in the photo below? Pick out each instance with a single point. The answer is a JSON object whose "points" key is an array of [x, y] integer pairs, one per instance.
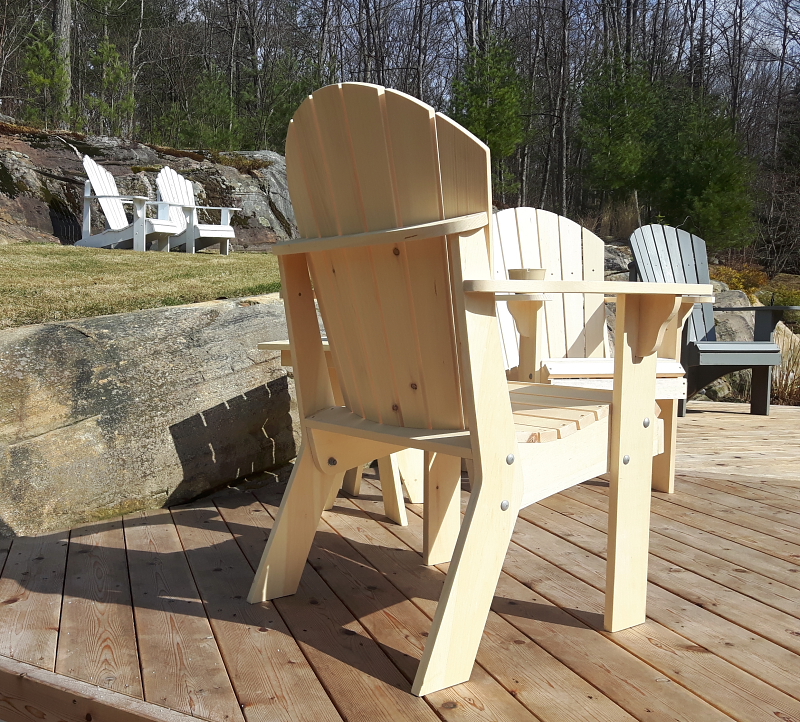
{"points": [[530, 238]]}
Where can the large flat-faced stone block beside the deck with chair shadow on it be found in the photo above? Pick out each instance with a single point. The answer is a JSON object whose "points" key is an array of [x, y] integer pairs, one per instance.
{"points": [[111, 414]]}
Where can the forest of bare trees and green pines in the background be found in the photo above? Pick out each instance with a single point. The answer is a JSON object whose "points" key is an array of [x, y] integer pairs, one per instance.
{"points": [[612, 112]]}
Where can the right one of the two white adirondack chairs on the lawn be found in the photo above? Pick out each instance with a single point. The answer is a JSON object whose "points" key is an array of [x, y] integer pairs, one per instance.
{"points": [[183, 208]]}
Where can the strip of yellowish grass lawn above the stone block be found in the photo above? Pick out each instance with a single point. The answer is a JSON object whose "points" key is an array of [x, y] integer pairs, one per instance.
{"points": [[45, 282]]}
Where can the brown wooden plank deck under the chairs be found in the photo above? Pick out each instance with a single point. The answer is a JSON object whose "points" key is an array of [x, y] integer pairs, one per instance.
{"points": [[145, 618]]}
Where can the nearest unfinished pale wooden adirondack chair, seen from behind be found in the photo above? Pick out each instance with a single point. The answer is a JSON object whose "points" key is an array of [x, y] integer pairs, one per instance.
{"points": [[394, 204]]}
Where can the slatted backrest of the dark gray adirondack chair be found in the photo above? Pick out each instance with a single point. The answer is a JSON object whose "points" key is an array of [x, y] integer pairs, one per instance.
{"points": [[676, 255]]}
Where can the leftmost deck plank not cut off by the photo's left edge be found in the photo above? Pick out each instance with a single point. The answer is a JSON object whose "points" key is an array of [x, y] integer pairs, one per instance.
{"points": [[97, 640]]}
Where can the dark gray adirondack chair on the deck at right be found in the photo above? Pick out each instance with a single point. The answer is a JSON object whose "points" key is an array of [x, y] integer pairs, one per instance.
{"points": [[672, 255]]}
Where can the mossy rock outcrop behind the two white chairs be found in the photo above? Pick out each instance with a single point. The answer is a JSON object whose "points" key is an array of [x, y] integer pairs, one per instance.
{"points": [[42, 179]]}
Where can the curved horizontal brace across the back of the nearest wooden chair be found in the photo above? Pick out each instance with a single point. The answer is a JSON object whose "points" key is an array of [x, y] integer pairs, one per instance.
{"points": [[434, 229]]}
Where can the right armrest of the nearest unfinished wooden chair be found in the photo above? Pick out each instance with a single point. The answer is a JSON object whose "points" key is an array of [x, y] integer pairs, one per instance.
{"points": [[504, 289]]}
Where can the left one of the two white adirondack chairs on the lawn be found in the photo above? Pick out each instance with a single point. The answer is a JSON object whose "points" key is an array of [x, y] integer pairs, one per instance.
{"points": [[120, 233]]}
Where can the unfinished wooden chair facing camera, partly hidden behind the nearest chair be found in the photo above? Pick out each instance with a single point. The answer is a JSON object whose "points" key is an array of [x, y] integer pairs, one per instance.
{"points": [[570, 344]]}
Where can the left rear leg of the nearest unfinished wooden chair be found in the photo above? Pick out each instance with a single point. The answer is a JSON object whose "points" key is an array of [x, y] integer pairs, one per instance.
{"points": [[289, 543]]}
